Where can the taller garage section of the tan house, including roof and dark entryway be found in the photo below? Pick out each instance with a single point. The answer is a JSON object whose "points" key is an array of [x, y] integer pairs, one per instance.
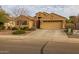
{"points": [[50, 21]]}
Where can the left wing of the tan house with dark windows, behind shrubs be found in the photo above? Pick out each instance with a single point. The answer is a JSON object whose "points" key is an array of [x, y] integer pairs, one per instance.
{"points": [[24, 21]]}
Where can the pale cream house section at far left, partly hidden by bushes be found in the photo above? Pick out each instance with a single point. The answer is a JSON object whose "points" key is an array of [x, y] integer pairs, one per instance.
{"points": [[10, 23]]}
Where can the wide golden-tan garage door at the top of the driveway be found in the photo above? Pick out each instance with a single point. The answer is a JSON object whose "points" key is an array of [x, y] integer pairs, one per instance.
{"points": [[51, 25]]}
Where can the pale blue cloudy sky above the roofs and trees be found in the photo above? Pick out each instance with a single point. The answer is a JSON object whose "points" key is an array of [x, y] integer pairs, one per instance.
{"points": [[63, 10]]}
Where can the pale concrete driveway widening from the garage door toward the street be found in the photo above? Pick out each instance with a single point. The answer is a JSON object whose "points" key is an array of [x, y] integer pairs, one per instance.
{"points": [[47, 34]]}
